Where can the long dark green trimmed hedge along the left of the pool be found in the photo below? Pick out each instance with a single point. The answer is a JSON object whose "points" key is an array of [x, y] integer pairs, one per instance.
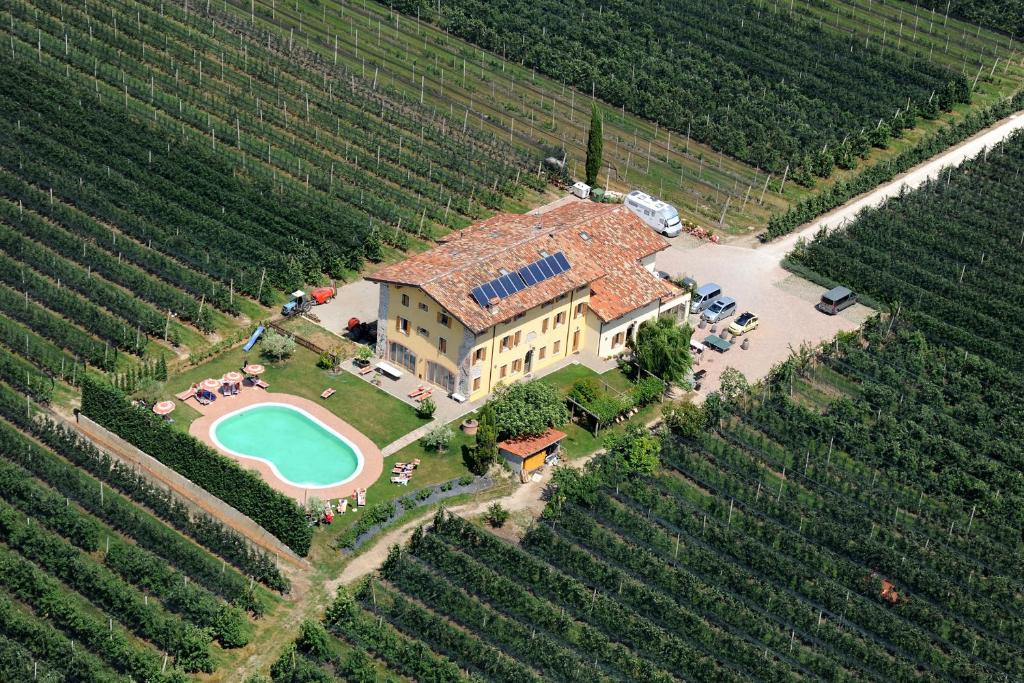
{"points": [[241, 489]]}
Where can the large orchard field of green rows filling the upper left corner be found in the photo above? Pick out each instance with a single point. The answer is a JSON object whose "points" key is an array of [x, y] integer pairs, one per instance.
{"points": [[165, 180]]}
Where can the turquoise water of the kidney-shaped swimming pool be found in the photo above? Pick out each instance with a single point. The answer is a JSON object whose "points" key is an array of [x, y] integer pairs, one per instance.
{"points": [[301, 449]]}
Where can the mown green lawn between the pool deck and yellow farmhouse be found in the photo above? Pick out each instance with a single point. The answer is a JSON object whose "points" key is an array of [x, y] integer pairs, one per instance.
{"points": [[381, 417]]}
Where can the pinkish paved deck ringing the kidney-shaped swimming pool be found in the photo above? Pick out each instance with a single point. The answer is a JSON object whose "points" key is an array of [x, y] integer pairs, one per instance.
{"points": [[373, 461]]}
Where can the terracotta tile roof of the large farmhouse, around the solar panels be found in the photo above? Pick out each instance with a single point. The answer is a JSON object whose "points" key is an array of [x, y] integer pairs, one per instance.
{"points": [[617, 241]]}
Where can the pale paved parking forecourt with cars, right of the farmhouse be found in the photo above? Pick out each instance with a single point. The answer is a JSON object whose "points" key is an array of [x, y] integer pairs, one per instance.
{"points": [[784, 303]]}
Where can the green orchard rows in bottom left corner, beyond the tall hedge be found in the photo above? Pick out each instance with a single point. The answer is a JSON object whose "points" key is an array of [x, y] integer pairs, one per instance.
{"points": [[97, 557]]}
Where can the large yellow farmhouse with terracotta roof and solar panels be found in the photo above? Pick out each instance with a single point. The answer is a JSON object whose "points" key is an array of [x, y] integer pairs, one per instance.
{"points": [[510, 295]]}
